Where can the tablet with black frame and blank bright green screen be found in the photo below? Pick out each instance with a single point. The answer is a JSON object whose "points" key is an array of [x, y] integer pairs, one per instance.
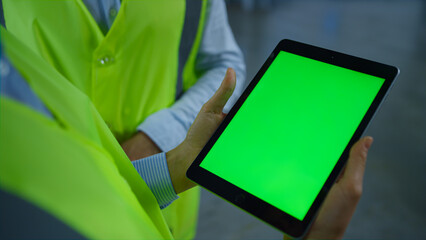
{"points": [[283, 144]]}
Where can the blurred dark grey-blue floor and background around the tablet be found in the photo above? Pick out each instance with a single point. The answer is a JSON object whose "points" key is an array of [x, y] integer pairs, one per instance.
{"points": [[393, 204]]}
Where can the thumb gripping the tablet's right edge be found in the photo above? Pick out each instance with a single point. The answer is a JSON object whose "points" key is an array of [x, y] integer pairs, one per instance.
{"points": [[355, 167]]}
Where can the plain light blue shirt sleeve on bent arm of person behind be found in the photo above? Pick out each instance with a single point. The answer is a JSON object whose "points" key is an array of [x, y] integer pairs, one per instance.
{"points": [[218, 51]]}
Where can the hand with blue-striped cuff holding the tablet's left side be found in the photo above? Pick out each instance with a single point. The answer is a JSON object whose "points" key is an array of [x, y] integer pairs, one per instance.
{"points": [[165, 174]]}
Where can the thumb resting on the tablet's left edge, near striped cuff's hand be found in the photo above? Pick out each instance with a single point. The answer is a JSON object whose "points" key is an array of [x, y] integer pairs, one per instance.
{"points": [[222, 94]]}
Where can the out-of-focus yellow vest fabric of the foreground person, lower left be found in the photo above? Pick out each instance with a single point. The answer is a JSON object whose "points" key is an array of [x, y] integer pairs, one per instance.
{"points": [[71, 166]]}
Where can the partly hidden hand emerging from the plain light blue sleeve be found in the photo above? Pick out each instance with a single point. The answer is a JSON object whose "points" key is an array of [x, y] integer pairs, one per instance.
{"points": [[140, 146]]}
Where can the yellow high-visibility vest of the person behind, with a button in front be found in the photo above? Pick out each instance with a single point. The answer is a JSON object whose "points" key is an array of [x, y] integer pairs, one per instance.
{"points": [[128, 74]]}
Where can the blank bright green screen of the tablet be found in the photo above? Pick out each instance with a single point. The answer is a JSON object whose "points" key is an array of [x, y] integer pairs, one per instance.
{"points": [[286, 138]]}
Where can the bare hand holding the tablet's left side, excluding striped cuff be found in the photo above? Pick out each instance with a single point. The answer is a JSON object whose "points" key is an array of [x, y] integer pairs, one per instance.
{"points": [[203, 127]]}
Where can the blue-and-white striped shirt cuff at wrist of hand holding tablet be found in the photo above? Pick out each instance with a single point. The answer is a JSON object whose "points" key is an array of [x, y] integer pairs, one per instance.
{"points": [[155, 172]]}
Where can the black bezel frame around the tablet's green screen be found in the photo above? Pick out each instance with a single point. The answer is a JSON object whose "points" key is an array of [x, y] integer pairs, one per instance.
{"points": [[258, 207]]}
